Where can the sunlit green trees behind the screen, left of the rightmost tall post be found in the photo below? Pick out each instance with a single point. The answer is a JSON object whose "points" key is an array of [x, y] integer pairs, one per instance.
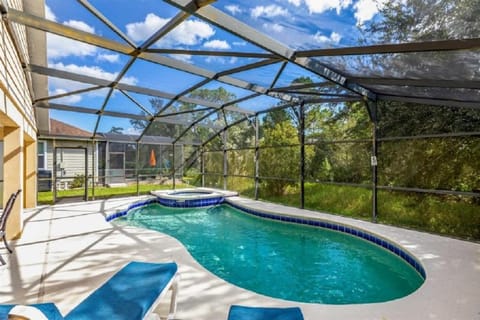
{"points": [[326, 159]]}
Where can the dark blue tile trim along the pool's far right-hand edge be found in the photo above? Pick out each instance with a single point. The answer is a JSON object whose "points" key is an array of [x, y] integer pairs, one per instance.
{"points": [[340, 228]]}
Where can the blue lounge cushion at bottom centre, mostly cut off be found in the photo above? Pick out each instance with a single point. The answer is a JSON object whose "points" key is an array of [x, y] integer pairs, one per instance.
{"points": [[256, 313]]}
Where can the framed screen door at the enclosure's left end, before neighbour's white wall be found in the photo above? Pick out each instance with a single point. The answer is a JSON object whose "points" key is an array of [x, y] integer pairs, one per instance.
{"points": [[70, 174]]}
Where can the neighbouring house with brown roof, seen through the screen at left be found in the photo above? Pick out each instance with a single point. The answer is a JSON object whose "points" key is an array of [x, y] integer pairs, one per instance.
{"points": [[112, 158]]}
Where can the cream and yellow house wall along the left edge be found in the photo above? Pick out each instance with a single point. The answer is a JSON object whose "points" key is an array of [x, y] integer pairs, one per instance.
{"points": [[17, 121]]}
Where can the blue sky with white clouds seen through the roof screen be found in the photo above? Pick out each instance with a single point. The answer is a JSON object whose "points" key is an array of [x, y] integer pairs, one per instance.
{"points": [[299, 24]]}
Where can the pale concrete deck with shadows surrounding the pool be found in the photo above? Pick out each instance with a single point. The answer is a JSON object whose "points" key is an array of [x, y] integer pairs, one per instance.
{"points": [[68, 250]]}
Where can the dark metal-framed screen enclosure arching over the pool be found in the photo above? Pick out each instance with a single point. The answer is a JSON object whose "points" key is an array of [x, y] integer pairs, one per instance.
{"points": [[311, 105]]}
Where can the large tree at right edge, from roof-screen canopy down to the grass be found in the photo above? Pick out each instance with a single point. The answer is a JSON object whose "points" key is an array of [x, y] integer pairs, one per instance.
{"points": [[440, 163]]}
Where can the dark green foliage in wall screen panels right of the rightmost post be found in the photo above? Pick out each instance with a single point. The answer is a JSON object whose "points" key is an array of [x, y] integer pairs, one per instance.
{"points": [[441, 163]]}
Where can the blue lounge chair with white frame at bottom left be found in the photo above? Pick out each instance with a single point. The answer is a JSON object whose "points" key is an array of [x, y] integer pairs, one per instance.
{"points": [[132, 293]]}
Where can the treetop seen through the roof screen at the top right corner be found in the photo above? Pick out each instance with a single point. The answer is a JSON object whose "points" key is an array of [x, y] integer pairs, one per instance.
{"points": [[417, 21]]}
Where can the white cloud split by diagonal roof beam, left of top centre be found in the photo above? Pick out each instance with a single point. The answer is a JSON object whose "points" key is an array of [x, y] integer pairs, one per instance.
{"points": [[190, 33]]}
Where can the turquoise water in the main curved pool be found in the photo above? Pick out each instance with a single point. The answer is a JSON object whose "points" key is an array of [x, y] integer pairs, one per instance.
{"points": [[283, 260]]}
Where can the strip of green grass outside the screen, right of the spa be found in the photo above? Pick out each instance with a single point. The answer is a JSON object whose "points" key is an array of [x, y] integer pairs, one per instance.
{"points": [[446, 215]]}
